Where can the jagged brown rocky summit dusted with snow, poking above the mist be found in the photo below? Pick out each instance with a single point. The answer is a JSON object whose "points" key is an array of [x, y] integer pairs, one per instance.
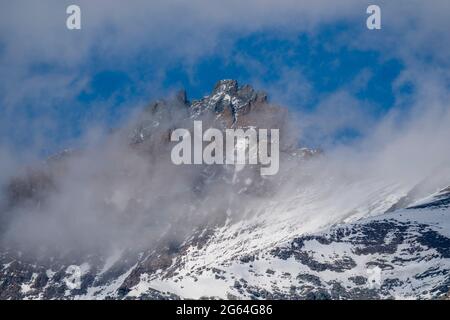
{"points": [[228, 106]]}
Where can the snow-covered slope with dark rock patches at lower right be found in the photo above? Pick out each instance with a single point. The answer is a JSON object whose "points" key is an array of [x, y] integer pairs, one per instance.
{"points": [[410, 248]]}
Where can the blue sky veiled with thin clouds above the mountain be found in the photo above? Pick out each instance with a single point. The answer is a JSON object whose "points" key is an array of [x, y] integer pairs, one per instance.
{"points": [[306, 56]]}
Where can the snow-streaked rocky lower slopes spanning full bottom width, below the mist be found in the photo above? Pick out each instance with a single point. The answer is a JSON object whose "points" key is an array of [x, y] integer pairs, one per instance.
{"points": [[406, 253]]}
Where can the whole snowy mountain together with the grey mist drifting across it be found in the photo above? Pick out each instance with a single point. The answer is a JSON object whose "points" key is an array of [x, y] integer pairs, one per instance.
{"points": [[138, 226]]}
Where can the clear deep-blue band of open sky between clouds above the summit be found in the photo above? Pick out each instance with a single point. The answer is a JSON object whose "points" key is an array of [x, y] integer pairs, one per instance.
{"points": [[325, 70]]}
